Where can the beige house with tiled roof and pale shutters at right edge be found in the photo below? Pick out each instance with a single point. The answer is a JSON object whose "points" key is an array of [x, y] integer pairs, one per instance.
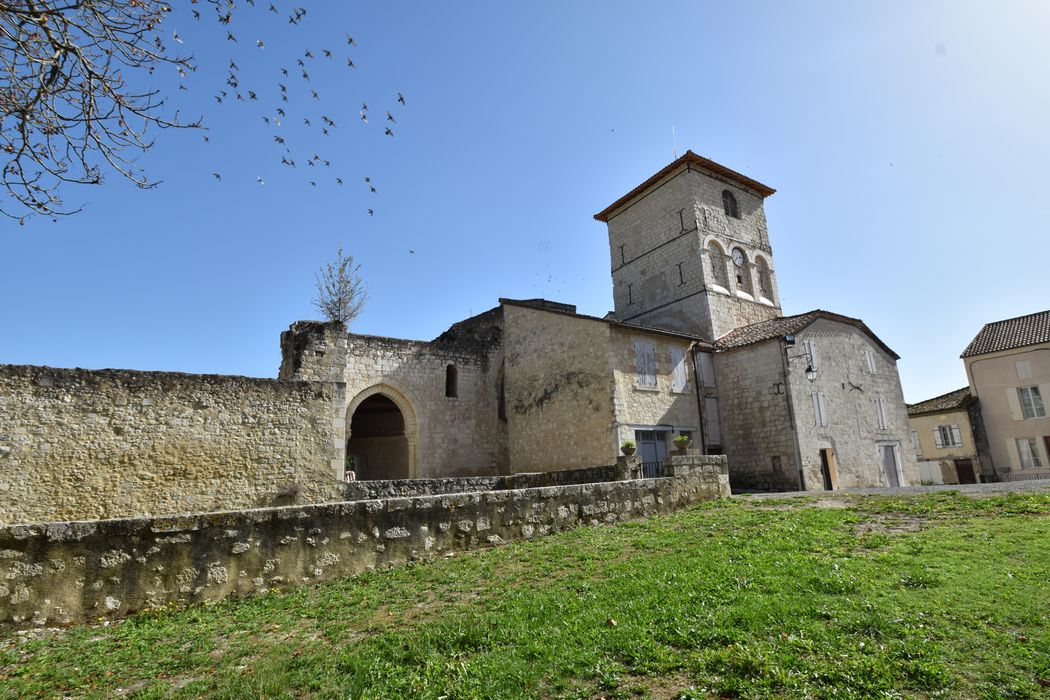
{"points": [[1009, 368]]}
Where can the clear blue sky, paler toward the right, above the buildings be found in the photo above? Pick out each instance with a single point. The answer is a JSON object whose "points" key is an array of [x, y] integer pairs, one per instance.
{"points": [[907, 141]]}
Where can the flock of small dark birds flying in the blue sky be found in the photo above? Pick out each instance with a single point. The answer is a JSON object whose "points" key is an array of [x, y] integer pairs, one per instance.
{"points": [[317, 167]]}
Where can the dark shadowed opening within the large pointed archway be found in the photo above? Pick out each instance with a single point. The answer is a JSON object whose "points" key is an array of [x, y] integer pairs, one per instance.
{"points": [[377, 448]]}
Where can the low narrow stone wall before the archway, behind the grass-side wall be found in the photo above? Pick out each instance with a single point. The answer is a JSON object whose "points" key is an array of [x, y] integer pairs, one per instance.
{"points": [[412, 487]]}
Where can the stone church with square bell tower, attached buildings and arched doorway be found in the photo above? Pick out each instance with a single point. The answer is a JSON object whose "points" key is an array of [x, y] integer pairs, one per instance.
{"points": [[697, 346]]}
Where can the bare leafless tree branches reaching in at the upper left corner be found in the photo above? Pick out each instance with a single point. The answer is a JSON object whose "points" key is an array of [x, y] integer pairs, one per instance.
{"points": [[74, 101]]}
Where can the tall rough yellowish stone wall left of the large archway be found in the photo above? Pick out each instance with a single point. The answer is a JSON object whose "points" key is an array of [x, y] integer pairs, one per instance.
{"points": [[78, 444]]}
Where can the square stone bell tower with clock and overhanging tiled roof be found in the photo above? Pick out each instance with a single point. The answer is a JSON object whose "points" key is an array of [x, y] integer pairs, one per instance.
{"points": [[690, 250]]}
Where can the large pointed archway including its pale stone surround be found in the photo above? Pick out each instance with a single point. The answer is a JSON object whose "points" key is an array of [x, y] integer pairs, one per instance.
{"points": [[382, 435]]}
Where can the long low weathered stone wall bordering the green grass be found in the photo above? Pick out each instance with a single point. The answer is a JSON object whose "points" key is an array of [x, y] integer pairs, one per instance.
{"points": [[72, 572]]}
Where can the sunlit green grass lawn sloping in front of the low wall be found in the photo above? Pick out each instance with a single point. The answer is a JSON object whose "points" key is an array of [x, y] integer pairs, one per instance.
{"points": [[926, 597]]}
